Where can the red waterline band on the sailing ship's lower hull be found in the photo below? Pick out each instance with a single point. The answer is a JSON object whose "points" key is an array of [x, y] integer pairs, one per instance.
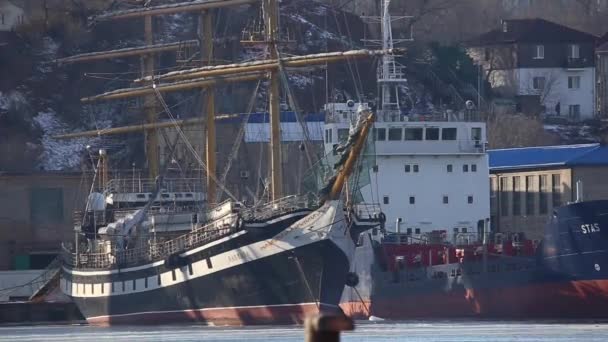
{"points": [[280, 314]]}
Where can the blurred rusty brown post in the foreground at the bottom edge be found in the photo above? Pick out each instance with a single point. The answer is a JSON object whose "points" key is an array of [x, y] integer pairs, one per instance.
{"points": [[327, 328]]}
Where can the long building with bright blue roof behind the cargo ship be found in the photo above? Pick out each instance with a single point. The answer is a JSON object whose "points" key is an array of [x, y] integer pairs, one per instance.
{"points": [[527, 183]]}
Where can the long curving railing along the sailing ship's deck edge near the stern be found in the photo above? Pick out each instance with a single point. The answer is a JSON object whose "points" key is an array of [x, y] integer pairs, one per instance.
{"points": [[152, 252]]}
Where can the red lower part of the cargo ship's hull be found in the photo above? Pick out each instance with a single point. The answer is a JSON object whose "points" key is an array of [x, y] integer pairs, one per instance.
{"points": [[576, 299]]}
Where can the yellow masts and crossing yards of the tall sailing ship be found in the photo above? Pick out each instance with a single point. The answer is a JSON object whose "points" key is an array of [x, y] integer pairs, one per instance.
{"points": [[205, 78]]}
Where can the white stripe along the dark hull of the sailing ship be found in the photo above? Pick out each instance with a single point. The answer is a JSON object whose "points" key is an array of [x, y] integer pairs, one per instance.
{"points": [[313, 228]]}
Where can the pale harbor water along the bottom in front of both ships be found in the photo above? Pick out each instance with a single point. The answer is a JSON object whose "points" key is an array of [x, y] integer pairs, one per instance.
{"points": [[365, 331]]}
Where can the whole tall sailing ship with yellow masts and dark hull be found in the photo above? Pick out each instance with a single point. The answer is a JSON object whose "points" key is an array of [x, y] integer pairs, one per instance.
{"points": [[162, 250]]}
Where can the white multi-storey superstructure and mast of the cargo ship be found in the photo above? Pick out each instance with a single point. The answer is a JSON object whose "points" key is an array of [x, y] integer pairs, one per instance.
{"points": [[431, 171]]}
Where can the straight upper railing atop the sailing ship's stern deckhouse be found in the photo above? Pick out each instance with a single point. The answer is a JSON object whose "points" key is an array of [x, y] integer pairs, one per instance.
{"points": [[135, 185]]}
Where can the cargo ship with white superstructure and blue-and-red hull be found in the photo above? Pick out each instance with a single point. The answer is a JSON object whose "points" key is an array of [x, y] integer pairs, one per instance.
{"points": [[438, 256]]}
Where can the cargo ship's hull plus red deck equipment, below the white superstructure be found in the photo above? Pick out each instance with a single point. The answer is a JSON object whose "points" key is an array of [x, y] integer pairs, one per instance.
{"points": [[507, 277]]}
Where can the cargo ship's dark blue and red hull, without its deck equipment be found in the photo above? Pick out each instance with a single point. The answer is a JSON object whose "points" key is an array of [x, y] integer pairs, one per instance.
{"points": [[567, 278]]}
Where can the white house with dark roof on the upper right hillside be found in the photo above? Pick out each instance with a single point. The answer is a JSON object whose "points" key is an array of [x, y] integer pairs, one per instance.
{"points": [[548, 68]]}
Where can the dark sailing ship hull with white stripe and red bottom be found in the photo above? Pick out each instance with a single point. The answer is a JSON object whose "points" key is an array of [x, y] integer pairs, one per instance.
{"points": [[245, 278]]}
